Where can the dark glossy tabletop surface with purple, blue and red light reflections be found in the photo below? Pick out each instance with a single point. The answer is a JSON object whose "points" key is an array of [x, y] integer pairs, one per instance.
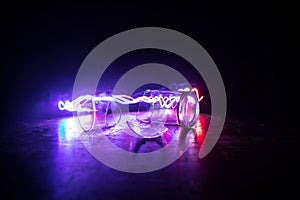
{"points": [[47, 159]]}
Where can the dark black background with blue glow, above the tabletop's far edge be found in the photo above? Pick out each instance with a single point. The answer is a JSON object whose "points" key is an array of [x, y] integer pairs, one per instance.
{"points": [[44, 46]]}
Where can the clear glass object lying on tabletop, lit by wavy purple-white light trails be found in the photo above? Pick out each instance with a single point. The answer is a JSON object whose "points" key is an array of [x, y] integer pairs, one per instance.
{"points": [[147, 114]]}
